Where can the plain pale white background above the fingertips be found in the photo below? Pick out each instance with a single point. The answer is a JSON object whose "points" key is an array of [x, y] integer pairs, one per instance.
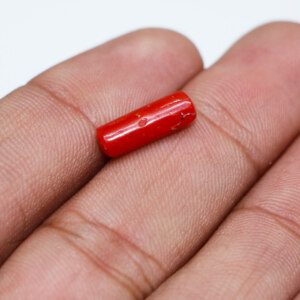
{"points": [[35, 34]]}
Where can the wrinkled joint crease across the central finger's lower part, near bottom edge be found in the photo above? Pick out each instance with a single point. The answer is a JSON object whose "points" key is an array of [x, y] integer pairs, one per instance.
{"points": [[81, 244]]}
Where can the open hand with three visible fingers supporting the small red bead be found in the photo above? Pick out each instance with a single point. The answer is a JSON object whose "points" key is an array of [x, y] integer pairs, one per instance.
{"points": [[144, 215]]}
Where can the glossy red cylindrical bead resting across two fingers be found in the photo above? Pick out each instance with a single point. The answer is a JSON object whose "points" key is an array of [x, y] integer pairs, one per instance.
{"points": [[146, 124]]}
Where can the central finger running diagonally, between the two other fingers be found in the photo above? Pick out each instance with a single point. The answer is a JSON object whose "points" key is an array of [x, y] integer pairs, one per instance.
{"points": [[145, 214]]}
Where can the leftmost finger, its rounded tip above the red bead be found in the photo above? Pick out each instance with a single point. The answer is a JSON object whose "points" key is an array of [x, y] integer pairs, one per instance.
{"points": [[47, 141]]}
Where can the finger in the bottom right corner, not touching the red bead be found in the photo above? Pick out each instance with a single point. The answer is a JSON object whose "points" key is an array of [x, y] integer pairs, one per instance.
{"points": [[256, 253]]}
